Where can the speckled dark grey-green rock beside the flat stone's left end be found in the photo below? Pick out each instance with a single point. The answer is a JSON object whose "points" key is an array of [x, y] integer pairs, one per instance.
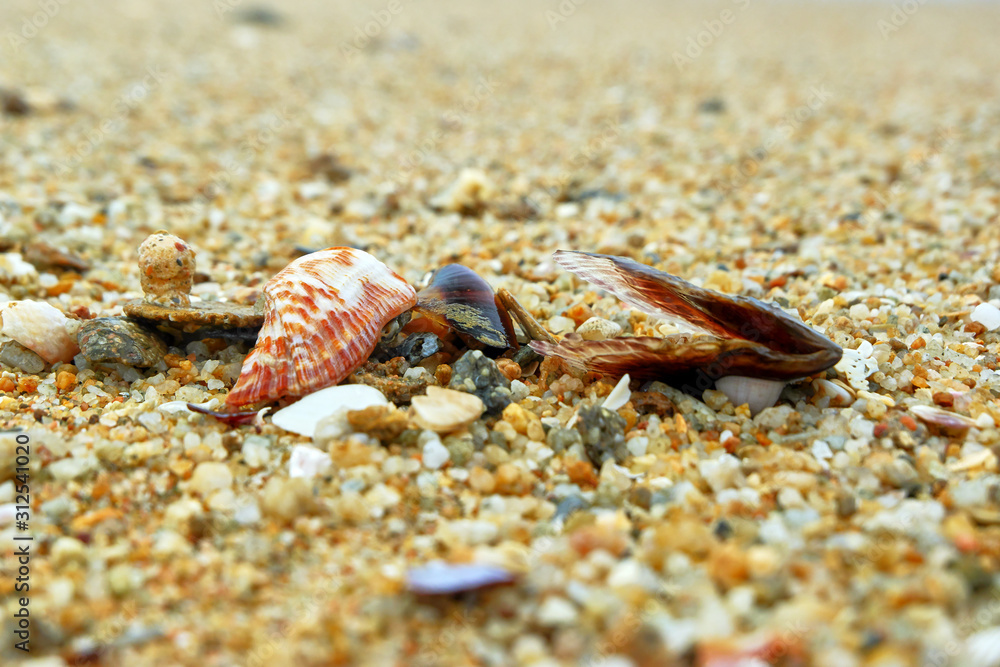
{"points": [[120, 340]]}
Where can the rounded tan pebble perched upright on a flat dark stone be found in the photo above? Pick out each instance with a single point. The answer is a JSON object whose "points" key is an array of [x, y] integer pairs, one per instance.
{"points": [[166, 269]]}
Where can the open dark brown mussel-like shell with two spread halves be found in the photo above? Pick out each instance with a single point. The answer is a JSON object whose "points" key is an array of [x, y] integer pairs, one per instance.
{"points": [[744, 336]]}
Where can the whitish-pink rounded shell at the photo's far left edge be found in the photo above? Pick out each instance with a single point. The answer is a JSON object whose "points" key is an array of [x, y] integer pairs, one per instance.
{"points": [[39, 327]]}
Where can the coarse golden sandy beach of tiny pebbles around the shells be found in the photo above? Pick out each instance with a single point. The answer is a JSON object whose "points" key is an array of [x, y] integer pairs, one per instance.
{"points": [[839, 160]]}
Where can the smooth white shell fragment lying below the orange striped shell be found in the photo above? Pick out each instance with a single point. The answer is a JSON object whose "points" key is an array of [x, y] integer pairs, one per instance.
{"points": [[304, 416]]}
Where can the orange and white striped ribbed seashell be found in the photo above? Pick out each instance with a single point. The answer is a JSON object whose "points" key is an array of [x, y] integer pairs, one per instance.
{"points": [[324, 312]]}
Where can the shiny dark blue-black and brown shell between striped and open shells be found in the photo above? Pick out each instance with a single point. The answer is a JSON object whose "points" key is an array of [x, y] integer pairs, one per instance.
{"points": [[458, 297]]}
